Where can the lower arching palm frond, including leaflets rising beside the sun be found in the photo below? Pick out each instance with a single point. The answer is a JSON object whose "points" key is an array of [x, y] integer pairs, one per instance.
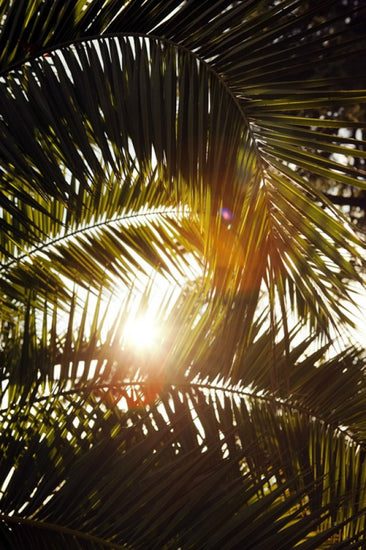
{"points": [[276, 460]]}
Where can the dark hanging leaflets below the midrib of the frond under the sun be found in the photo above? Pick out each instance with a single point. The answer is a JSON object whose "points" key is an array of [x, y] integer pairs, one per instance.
{"points": [[283, 468]]}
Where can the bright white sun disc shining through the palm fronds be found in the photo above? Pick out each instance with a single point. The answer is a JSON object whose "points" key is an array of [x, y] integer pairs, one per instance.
{"points": [[142, 333]]}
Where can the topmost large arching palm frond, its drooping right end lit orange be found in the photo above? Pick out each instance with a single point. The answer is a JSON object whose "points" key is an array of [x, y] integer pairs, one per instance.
{"points": [[190, 97]]}
